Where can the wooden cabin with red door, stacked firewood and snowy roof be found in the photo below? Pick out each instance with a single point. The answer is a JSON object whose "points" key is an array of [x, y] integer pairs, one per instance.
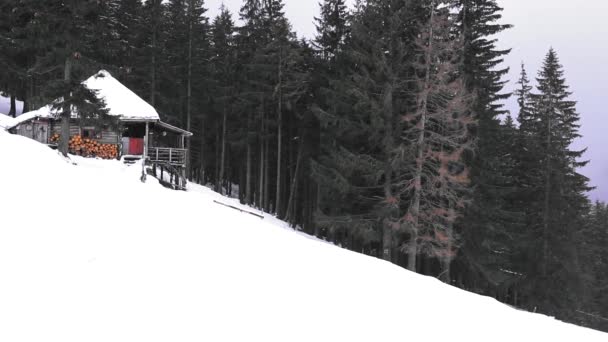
{"points": [[140, 133]]}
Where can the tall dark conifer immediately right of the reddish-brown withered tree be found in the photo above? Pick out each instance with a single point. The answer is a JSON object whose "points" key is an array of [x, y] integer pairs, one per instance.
{"points": [[483, 77]]}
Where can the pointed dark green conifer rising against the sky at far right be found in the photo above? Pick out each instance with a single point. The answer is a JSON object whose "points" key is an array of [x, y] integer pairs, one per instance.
{"points": [[563, 188]]}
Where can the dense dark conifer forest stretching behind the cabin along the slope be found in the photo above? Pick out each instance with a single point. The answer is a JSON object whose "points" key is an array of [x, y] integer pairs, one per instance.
{"points": [[385, 134]]}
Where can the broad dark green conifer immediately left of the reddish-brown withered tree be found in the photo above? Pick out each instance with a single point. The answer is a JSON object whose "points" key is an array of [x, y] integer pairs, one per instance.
{"points": [[359, 195]]}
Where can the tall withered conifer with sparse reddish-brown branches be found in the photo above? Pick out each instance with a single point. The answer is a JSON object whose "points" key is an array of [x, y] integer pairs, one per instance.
{"points": [[437, 137]]}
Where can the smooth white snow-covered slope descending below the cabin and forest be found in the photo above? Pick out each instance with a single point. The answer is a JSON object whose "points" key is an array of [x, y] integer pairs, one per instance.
{"points": [[89, 253]]}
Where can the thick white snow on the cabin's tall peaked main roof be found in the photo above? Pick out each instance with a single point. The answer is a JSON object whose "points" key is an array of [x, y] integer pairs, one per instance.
{"points": [[120, 100]]}
